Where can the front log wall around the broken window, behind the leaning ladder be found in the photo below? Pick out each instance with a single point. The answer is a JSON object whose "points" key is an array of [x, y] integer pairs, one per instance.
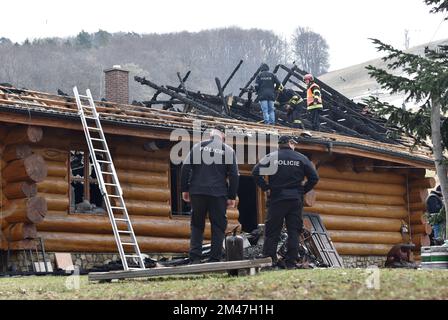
{"points": [[145, 180]]}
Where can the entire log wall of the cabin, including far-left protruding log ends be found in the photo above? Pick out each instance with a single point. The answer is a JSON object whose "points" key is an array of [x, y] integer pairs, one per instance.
{"points": [[362, 208]]}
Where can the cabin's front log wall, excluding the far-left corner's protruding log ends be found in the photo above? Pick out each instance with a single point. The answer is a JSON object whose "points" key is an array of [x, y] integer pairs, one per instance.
{"points": [[363, 211]]}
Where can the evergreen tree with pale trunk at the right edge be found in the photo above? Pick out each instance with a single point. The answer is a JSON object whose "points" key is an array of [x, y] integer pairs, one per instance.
{"points": [[424, 79]]}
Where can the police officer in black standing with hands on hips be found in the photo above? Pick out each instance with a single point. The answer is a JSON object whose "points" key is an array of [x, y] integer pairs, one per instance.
{"points": [[285, 190]]}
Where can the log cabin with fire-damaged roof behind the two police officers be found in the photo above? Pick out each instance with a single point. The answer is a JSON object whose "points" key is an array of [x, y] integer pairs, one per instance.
{"points": [[371, 195]]}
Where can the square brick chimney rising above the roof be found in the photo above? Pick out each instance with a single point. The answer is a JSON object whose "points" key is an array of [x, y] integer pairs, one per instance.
{"points": [[117, 85]]}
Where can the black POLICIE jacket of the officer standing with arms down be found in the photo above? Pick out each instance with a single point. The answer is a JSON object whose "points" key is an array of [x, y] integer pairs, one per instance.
{"points": [[207, 168]]}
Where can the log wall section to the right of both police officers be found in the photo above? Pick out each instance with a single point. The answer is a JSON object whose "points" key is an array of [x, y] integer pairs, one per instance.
{"points": [[363, 210]]}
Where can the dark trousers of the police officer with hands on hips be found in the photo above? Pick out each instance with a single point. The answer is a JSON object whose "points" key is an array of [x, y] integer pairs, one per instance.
{"points": [[289, 211]]}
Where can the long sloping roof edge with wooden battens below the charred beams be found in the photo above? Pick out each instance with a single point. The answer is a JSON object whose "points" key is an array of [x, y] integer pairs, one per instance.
{"points": [[33, 105]]}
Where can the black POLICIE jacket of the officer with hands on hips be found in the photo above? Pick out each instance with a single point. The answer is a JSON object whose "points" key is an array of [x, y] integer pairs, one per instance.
{"points": [[287, 182]]}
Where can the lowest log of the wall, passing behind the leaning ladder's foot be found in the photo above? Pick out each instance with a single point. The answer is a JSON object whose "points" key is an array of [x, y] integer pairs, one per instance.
{"points": [[74, 242]]}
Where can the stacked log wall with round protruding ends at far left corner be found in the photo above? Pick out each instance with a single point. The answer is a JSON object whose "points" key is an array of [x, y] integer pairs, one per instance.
{"points": [[22, 169]]}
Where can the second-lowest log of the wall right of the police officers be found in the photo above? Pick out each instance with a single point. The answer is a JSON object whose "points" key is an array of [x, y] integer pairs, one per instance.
{"points": [[373, 237]]}
